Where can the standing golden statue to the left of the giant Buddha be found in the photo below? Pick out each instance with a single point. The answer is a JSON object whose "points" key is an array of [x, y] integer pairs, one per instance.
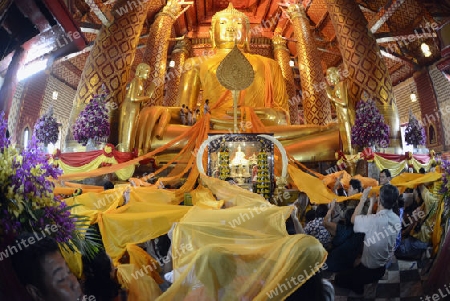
{"points": [[131, 106]]}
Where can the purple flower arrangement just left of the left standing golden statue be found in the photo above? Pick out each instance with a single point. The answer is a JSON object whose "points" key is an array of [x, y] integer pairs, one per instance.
{"points": [[93, 121]]}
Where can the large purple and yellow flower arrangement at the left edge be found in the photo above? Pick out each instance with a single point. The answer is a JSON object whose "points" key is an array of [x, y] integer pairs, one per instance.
{"points": [[27, 202]]}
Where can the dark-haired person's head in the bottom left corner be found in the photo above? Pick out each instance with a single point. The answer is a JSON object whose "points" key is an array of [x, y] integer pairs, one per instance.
{"points": [[43, 271]]}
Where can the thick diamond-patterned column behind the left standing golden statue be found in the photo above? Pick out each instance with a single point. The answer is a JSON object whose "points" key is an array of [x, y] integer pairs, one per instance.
{"points": [[109, 62]]}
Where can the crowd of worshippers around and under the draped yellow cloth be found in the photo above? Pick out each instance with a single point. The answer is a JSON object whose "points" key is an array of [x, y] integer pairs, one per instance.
{"points": [[361, 237]]}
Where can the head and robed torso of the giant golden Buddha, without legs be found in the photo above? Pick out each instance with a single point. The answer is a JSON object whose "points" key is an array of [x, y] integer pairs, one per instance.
{"points": [[231, 27]]}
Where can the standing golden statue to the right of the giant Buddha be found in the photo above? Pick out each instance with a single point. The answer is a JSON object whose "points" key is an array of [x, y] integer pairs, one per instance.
{"points": [[337, 93]]}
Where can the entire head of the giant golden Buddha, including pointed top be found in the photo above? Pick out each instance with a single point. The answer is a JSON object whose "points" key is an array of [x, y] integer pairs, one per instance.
{"points": [[230, 27]]}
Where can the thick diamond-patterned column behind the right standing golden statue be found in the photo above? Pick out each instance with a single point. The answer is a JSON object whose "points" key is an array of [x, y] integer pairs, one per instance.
{"points": [[364, 62]]}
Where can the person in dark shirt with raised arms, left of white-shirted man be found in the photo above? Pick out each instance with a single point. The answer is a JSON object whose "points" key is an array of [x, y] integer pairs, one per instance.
{"points": [[346, 244]]}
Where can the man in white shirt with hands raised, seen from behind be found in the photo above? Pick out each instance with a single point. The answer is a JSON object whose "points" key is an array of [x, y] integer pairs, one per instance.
{"points": [[381, 230]]}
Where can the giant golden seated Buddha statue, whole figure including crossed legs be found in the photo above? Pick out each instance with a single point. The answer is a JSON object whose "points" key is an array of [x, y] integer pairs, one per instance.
{"points": [[266, 97]]}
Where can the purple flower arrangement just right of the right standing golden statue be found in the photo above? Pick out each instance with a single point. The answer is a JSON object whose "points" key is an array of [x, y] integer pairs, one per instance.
{"points": [[370, 129]]}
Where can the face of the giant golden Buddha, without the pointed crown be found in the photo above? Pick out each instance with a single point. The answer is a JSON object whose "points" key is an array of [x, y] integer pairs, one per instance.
{"points": [[229, 30]]}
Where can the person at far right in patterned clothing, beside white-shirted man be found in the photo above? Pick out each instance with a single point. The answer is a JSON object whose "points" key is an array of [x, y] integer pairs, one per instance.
{"points": [[419, 218]]}
